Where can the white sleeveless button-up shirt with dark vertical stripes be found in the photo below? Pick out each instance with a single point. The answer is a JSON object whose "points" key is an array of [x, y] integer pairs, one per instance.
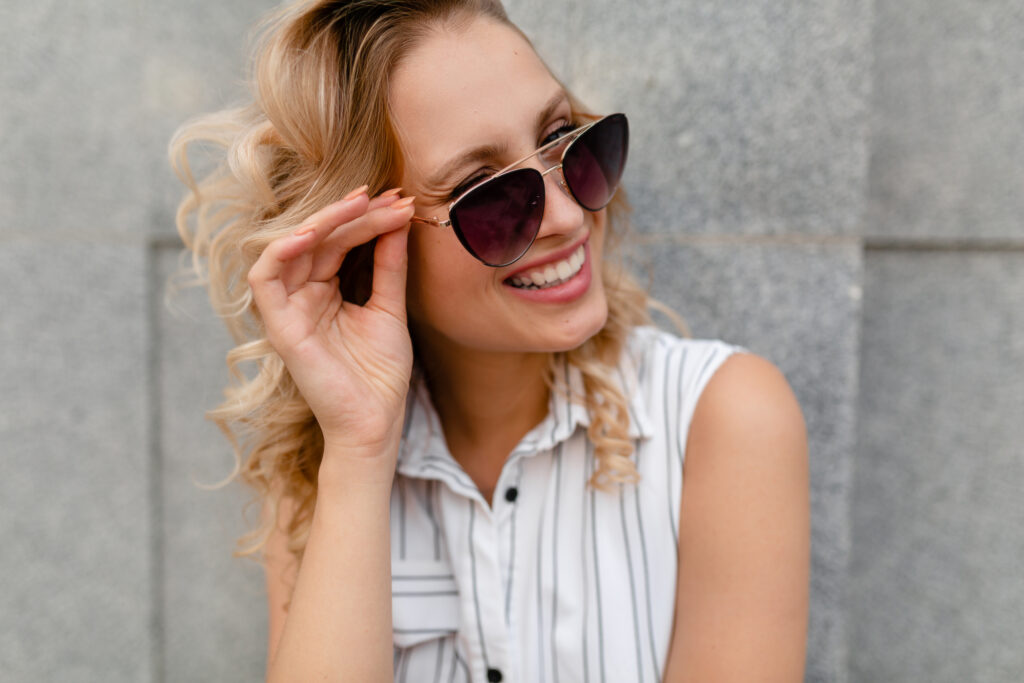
{"points": [[554, 582]]}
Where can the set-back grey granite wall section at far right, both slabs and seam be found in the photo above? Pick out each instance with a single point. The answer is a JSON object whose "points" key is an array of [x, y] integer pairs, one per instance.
{"points": [[935, 584]]}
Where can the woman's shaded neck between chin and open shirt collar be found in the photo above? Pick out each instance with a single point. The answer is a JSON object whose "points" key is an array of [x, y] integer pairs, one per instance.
{"points": [[487, 401]]}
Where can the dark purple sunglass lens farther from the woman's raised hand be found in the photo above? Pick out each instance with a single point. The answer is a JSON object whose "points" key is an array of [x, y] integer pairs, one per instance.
{"points": [[594, 163]]}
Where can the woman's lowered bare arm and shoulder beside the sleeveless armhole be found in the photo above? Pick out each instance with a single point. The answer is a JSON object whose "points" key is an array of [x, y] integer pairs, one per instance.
{"points": [[742, 601]]}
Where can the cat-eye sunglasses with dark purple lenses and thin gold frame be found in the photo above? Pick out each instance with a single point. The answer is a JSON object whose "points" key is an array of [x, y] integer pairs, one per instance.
{"points": [[498, 220]]}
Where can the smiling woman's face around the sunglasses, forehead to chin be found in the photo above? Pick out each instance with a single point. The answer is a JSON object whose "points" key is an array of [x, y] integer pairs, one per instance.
{"points": [[484, 87]]}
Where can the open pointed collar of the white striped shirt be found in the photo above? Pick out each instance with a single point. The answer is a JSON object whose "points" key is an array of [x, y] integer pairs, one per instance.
{"points": [[424, 453]]}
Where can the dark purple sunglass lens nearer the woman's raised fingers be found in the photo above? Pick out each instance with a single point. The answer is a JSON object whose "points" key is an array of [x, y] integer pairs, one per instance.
{"points": [[498, 221]]}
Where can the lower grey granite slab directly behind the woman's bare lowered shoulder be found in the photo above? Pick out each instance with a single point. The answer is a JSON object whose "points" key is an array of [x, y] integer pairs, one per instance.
{"points": [[799, 307]]}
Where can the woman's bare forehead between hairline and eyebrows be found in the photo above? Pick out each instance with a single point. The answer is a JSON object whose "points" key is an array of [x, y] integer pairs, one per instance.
{"points": [[480, 84]]}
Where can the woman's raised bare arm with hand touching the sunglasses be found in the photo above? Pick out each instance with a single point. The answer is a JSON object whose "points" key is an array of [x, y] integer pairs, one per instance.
{"points": [[352, 365]]}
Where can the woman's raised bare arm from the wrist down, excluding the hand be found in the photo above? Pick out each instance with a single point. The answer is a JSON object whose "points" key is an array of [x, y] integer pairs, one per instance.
{"points": [[338, 627]]}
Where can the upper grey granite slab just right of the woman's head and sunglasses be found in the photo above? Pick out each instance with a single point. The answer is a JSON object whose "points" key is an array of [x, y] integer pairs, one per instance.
{"points": [[747, 117]]}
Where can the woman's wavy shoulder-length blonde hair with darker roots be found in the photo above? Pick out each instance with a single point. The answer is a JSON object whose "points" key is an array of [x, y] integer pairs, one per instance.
{"points": [[319, 125]]}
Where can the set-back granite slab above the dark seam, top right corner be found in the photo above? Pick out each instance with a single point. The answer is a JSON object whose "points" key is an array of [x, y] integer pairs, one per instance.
{"points": [[948, 155]]}
